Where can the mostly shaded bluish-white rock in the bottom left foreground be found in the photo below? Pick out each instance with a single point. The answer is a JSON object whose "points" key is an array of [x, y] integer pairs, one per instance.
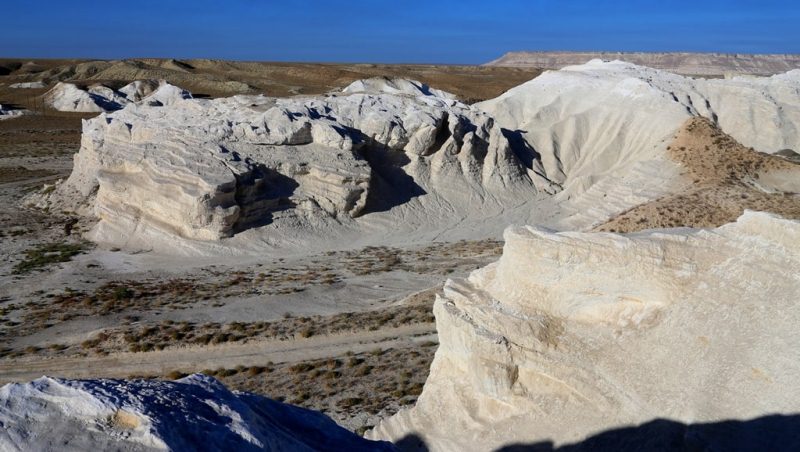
{"points": [[196, 412]]}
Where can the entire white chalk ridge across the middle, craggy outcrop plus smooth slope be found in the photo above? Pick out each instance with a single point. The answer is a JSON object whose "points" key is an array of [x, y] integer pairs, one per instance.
{"points": [[394, 158]]}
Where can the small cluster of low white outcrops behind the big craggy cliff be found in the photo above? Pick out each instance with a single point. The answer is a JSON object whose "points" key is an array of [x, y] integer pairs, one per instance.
{"points": [[100, 98]]}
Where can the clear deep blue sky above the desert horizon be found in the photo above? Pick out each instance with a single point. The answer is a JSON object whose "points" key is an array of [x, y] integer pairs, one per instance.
{"points": [[412, 31]]}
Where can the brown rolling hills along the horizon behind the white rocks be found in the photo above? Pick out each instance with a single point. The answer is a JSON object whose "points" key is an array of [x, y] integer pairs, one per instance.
{"points": [[216, 78]]}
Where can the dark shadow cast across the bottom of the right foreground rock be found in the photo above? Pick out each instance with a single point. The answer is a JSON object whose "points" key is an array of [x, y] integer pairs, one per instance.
{"points": [[763, 434]]}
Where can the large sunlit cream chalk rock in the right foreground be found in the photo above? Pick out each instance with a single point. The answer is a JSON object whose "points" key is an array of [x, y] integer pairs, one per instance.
{"points": [[571, 334]]}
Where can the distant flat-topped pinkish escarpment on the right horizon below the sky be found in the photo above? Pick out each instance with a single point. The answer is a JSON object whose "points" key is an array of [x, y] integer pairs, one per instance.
{"points": [[707, 64]]}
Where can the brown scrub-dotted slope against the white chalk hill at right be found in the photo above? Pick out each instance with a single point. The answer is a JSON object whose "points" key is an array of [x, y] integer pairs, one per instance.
{"points": [[726, 178]]}
